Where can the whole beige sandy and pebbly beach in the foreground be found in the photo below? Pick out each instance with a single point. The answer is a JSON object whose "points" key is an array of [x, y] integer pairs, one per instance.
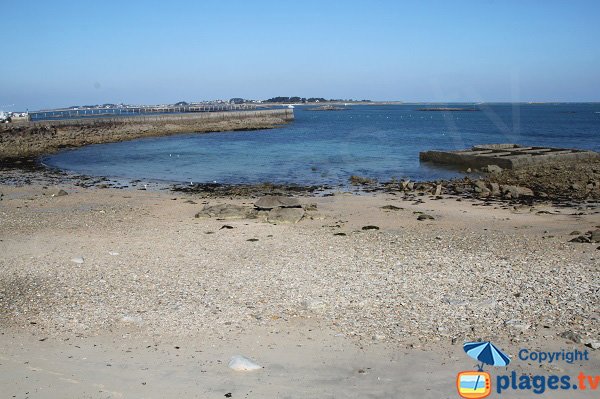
{"points": [[126, 293]]}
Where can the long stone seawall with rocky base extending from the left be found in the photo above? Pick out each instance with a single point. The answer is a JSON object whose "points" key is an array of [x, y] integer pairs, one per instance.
{"points": [[32, 139]]}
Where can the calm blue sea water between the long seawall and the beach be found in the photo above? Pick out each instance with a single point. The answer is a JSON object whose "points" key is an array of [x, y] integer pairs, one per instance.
{"points": [[328, 147]]}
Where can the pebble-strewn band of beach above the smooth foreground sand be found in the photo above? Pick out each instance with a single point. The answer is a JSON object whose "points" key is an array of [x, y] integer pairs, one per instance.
{"points": [[146, 264]]}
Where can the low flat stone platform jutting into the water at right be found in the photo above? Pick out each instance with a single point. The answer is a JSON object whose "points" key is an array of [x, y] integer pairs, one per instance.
{"points": [[506, 156]]}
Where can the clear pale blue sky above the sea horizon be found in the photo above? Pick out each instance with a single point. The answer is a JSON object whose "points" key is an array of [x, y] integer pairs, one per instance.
{"points": [[63, 53]]}
